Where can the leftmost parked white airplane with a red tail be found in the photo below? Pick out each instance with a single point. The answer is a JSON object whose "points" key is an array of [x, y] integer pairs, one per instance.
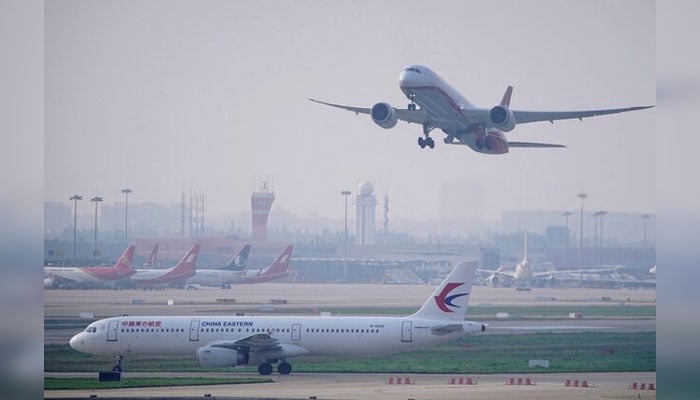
{"points": [[90, 277]]}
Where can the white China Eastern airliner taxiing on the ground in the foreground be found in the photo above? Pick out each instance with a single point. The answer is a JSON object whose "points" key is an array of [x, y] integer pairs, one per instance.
{"points": [[222, 341]]}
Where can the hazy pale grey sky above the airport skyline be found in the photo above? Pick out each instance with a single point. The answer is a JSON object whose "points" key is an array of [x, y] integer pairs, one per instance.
{"points": [[162, 96]]}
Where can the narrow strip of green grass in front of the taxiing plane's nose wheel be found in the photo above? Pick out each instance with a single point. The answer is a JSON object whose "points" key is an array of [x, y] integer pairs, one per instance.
{"points": [[92, 383]]}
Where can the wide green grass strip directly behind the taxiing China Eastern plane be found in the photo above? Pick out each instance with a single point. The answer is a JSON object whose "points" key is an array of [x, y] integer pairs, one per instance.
{"points": [[490, 353]]}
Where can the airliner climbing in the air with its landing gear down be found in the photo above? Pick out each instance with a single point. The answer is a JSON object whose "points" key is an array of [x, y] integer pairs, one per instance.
{"points": [[436, 104]]}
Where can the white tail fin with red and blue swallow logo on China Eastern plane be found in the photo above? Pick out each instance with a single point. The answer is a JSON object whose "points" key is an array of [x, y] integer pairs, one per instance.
{"points": [[450, 298]]}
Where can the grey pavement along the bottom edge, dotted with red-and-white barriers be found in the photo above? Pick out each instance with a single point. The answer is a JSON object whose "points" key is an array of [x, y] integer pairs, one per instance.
{"points": [[375, 387]]}
